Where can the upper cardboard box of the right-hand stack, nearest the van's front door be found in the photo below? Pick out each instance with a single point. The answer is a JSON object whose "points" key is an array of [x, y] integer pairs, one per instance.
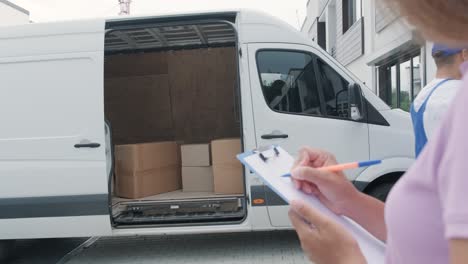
{"points": [[224, 151]]}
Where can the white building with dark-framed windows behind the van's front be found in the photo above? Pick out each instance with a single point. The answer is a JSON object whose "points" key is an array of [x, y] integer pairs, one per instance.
{"points": [[375, 44]]}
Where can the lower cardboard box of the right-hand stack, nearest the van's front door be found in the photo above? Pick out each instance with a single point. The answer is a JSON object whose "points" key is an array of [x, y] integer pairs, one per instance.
{"points": [[228, 179]]}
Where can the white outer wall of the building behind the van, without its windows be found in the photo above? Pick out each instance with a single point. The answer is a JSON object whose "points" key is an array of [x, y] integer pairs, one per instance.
{"points": [[384, 34]]}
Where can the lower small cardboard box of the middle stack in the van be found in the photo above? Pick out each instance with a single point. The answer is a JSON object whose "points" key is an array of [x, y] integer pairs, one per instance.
{"points": [[197, 179]]}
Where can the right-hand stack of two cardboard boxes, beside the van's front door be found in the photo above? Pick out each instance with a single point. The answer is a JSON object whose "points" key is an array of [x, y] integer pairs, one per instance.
{"points": [[227, 170]]}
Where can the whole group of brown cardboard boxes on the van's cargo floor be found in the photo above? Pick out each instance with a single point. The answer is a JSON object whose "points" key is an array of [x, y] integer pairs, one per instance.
{"points": [[153, 168]]}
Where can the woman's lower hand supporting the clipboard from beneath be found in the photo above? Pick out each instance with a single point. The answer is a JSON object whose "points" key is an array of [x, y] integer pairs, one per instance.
{"points": [[323, 240]]}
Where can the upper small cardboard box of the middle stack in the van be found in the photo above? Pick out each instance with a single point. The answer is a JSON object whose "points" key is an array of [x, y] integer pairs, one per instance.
{"points": [[195, 155]]}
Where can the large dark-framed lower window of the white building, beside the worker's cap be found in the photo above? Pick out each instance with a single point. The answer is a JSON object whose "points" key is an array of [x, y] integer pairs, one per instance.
{"points": [[400, 81]]}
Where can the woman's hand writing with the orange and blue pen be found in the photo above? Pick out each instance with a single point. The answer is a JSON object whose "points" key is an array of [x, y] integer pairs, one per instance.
{"points": [[334, 190]]}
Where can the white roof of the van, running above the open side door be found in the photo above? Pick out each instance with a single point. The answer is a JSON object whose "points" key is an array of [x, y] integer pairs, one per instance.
{"points": [[253, 26]]}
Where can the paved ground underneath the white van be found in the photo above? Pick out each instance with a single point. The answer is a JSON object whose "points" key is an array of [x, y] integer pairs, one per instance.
{"points": [[233, 248]]}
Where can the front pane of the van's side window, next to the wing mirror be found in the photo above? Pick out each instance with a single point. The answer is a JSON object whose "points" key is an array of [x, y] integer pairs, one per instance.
{"points": [[335, 91]]}
